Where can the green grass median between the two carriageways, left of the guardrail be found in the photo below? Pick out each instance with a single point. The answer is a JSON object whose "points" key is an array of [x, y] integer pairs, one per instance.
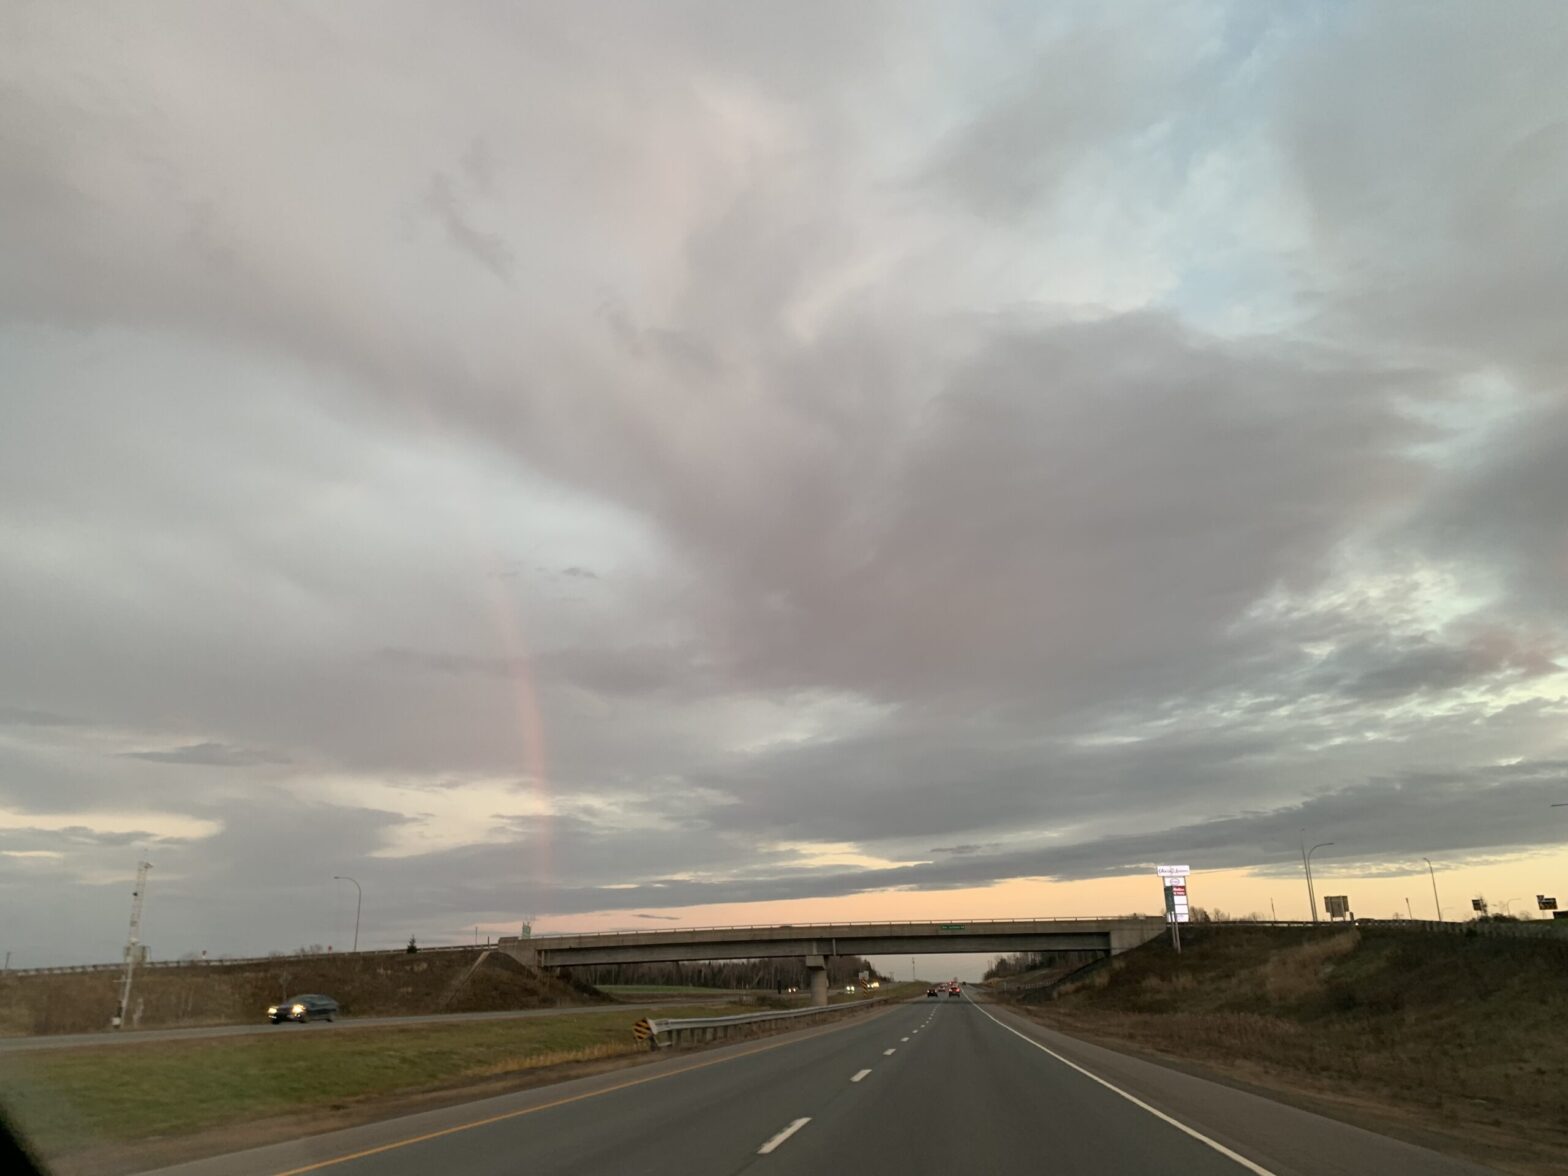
{"points": [[71, 1100]]}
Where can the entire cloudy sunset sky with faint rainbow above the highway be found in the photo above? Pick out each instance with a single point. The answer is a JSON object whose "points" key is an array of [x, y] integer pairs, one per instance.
{"points": [[678, 465]]}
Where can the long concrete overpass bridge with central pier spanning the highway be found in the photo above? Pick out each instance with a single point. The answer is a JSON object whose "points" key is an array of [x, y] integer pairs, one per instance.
{"points": [[819, 942]]}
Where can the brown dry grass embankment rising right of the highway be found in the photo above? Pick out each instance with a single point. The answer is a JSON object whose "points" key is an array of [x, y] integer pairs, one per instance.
{"points": [[1454, 1042]]}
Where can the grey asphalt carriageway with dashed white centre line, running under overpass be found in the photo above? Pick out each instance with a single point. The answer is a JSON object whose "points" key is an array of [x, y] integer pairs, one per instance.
{"points": [[935, 1087]]}
